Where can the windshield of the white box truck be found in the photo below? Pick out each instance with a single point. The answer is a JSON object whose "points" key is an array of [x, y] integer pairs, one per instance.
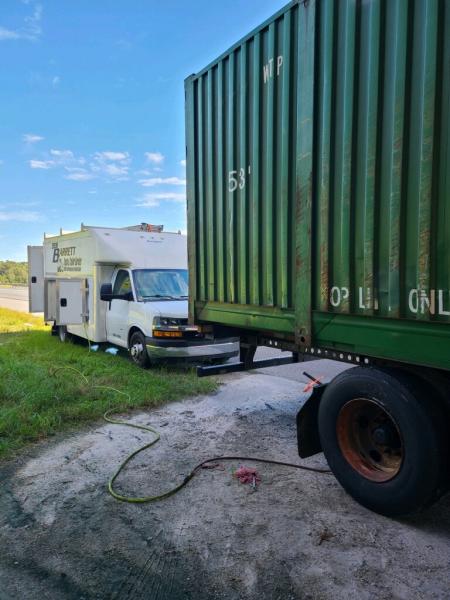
{"points": [[161, 284]]}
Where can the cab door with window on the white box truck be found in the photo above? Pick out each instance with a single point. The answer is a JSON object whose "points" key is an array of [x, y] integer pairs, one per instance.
{"points": [[117, 314]]}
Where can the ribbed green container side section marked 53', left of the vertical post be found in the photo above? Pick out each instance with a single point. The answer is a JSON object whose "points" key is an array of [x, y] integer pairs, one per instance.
{"points": [[243, 112]]}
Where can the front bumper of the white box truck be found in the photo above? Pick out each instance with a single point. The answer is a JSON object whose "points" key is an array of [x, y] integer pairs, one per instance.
{"points": [[187, 350]]}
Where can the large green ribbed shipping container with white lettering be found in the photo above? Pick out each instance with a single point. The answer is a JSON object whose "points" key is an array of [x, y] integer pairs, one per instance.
{"points": [[318, 170]]}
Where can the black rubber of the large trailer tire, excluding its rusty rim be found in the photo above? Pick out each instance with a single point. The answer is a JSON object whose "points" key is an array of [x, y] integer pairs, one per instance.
{"points": [[421, 423]]}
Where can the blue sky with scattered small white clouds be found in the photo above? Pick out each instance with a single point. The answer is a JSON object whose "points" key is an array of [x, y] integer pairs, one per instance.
{"points": [[92, 108]]}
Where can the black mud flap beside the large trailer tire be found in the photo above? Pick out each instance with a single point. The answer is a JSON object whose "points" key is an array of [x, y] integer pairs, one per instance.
{"points": [[308, 439]]}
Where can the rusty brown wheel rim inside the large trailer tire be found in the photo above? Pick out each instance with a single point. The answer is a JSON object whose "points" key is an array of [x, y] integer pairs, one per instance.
{"points": [[370, 439]]}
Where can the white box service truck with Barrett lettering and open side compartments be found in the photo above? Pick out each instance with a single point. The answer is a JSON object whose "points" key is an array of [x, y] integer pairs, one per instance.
{"points": [[126, 286]]}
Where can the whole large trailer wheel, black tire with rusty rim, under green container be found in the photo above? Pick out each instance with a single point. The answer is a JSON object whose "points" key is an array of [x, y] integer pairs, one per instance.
{"points": [[384, 437]]}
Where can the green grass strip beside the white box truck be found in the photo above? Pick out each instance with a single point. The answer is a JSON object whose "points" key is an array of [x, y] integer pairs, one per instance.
{"points": [[37, 400]]}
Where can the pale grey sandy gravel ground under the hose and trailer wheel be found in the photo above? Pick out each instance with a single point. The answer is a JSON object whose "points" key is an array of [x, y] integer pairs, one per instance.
{"points": [[298, 536]]}
